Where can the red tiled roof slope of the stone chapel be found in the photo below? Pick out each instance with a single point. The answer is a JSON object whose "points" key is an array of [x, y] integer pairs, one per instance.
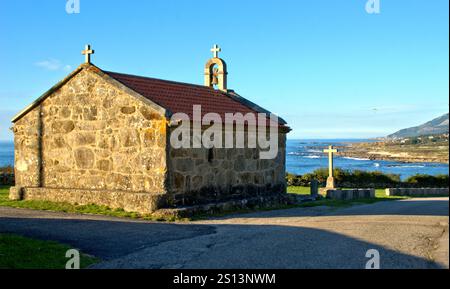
{"points": [[181, 97]]}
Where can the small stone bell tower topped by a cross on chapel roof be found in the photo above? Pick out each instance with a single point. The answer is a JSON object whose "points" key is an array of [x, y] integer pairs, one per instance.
{"points": [[216, 71]]}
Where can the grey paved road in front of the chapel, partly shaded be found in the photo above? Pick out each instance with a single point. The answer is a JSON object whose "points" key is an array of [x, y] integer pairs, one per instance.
{"points": [[408, 234]]}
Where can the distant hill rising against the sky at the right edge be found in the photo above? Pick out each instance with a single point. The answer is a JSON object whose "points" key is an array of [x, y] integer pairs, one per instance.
{"points": [[436, 126]]}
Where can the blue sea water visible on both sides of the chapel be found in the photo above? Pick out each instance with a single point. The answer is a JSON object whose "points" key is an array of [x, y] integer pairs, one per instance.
{"points": [[305, 156]]}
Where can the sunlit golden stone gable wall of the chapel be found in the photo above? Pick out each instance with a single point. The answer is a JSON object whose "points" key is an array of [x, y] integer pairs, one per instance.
{"points": [[91, 135]]}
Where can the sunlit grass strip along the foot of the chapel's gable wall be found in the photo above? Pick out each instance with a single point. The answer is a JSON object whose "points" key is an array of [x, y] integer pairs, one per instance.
{"points": [[79, 209]]}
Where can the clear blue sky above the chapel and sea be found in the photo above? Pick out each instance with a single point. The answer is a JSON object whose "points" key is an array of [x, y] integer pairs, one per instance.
{"points": [[327, 67]]}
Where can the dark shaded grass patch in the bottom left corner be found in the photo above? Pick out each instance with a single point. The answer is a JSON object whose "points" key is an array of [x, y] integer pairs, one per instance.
{"points": [[18, 252]]}
